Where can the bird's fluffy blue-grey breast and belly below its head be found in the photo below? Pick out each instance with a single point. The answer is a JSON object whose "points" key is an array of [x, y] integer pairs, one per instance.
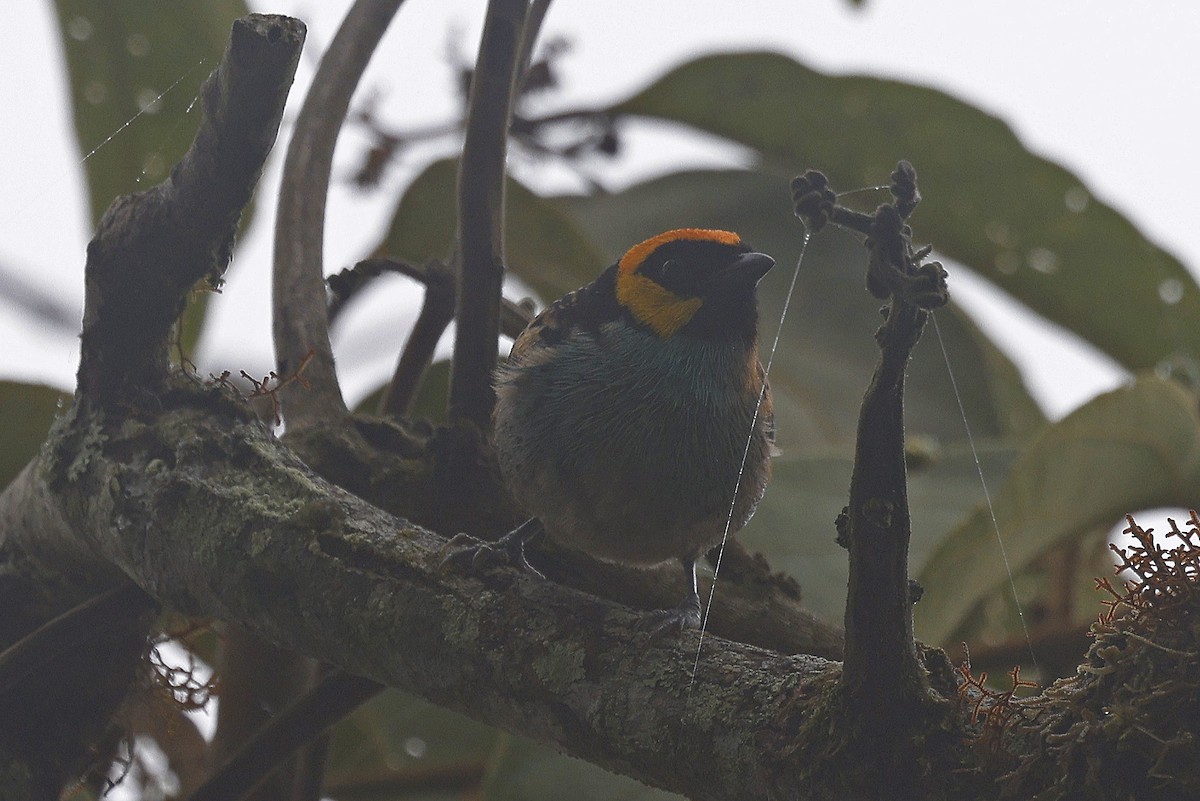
{"points": [[627, 471]]}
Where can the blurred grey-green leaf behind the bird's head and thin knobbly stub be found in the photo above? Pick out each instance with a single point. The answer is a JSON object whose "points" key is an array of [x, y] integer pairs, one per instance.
{"points": [[827, 351]]}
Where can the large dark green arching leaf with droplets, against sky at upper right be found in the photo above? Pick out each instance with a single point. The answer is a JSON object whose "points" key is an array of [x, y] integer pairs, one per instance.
{"points": [[1024, 222]]}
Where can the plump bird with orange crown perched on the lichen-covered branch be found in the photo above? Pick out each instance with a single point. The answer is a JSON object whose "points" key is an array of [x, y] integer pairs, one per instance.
{"points": [[634, 419]]}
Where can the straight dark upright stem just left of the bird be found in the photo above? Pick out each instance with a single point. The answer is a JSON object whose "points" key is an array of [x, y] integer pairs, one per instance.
{"points": [[482, 214]]}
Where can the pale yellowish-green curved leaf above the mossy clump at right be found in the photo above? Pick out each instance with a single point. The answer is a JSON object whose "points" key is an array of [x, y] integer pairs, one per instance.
{"points": [[1131, 449]]}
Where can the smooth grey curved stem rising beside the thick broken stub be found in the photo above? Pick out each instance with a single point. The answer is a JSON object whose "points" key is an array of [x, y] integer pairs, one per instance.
{"points": [[302, 322]]}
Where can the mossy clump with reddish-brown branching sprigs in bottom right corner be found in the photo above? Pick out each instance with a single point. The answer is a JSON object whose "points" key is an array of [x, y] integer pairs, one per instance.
{"points": [[1126, 725]]}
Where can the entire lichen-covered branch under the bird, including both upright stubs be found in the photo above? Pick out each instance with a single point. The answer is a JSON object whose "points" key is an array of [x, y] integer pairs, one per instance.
{"points": [[182, 490]]}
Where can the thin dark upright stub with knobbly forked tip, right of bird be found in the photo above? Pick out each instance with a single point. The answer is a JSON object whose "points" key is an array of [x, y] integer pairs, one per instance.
{"points": [[884, 682]]}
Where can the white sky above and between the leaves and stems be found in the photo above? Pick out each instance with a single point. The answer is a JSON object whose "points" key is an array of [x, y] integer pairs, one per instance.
{"points": [[1103, 87]]}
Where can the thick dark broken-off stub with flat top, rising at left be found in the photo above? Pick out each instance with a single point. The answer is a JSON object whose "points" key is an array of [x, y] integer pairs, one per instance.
{"points": [[154, 246]]}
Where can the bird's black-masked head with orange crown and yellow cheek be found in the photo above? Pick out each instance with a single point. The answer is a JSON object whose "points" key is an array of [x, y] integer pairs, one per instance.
{"points": [[693, 282]]}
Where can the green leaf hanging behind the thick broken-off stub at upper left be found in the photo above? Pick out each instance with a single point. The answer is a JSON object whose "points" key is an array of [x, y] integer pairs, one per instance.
{"points": [[136, 69]]}
